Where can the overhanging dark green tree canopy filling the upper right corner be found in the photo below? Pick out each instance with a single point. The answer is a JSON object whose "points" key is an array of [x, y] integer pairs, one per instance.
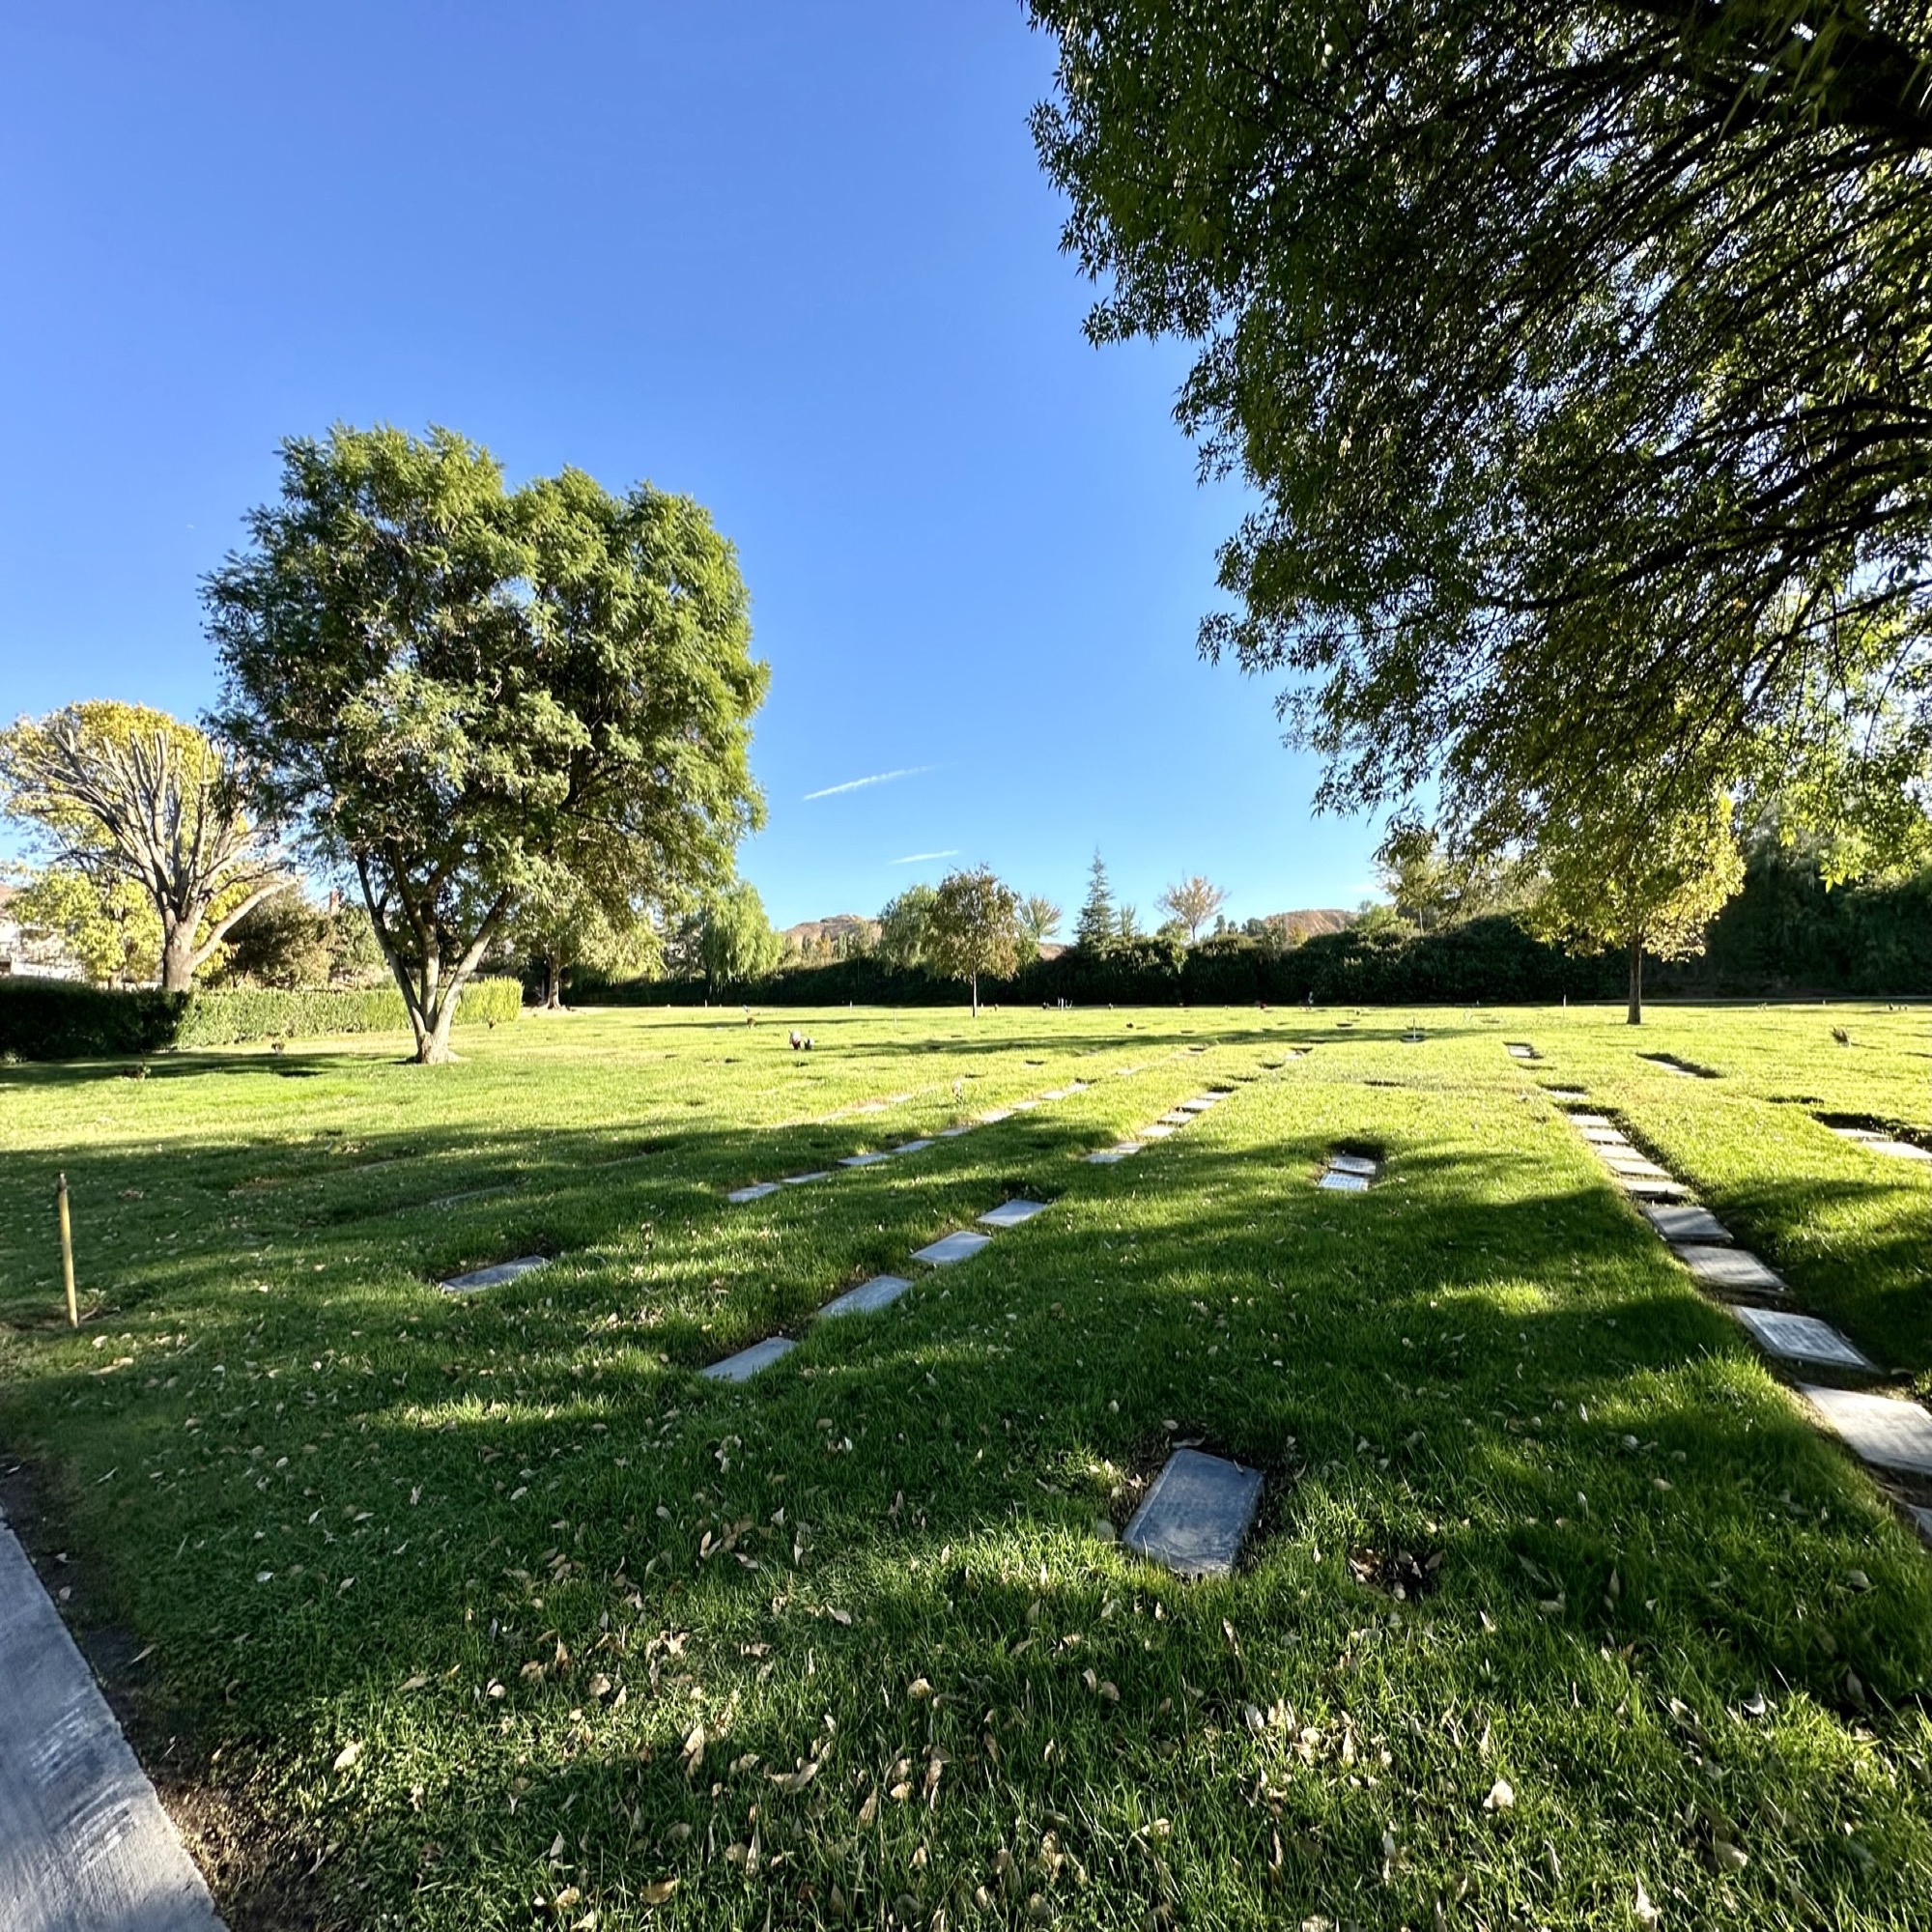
{"points": [[1525, 320]]}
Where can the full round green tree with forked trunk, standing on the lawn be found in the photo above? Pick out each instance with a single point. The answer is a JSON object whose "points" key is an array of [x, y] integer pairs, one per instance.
{"points": [[469, 696]]}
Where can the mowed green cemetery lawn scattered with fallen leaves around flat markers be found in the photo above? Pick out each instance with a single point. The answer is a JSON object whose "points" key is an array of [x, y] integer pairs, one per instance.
{"points": [[494, 1614]]}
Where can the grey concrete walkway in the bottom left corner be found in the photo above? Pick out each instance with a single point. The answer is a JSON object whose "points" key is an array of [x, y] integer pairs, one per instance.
{"points": [[84, 1842]]}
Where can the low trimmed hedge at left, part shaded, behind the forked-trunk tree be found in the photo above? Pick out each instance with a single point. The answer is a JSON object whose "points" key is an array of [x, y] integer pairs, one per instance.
{"points": [[59, 1021]]}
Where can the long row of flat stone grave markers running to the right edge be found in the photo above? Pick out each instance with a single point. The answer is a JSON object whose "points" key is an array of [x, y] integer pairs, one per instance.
{"points": [[1885, 1433]]}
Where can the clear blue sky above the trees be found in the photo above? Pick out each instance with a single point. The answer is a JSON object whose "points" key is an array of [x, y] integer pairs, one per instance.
{"points": [[793, 260]]}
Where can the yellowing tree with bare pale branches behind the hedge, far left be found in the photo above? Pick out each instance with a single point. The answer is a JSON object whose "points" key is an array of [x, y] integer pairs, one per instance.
{"points": [[136, 801]]}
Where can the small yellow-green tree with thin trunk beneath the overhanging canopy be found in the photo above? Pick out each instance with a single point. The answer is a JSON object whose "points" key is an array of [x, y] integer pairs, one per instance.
{"points": [[1622, 874]]}
